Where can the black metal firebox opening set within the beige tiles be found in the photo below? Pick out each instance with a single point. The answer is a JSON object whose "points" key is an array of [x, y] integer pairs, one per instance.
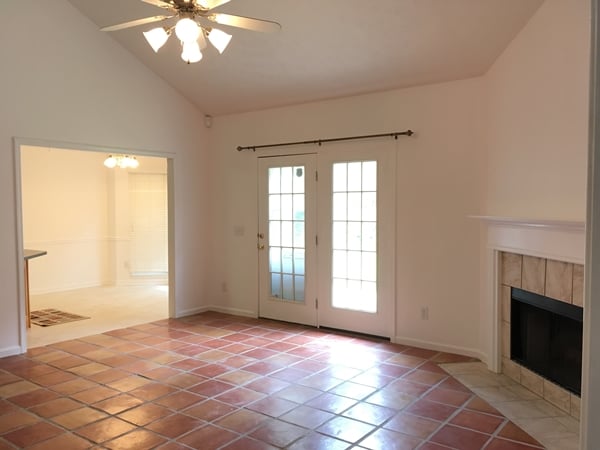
{"points": [[546, 337]]}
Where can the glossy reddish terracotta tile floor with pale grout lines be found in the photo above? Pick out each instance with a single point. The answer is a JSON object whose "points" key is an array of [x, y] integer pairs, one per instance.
{"points": [[213, 381]]}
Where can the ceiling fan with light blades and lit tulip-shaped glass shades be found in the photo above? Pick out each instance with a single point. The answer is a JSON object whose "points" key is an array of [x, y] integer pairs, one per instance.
{"points": [[194, 25]]}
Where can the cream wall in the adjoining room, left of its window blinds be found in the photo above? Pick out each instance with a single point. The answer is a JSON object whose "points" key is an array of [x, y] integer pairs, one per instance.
{"points": [[64, 199]]}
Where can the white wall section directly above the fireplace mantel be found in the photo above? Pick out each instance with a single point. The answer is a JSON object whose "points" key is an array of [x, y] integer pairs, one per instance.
{"points": [[538, 117]]}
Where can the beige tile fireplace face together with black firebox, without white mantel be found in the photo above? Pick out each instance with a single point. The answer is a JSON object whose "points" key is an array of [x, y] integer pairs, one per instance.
{"points": [[543, 287]]}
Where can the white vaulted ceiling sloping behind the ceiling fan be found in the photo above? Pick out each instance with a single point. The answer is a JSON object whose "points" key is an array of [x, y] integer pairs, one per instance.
{"points": [[326, 48]]}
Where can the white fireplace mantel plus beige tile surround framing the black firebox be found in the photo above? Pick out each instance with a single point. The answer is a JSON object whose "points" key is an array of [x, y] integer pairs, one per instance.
{"points": [[541, 256]]}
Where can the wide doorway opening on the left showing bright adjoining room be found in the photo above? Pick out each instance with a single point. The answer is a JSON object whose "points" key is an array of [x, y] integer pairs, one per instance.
{"points": [[106, 235]]}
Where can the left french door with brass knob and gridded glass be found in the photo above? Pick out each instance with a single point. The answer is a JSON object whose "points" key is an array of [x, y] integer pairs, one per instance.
{"points": [[286, 242]]}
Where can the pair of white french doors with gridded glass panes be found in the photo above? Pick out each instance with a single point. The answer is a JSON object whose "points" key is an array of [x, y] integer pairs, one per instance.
{"points": [[326, 247]]}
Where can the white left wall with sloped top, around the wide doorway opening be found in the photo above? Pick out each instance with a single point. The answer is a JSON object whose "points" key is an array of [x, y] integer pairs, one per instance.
{"points": [[64, 81]]}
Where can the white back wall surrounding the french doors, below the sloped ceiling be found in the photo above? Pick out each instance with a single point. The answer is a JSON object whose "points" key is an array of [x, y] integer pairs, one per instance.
{"points": [[438, 185]]}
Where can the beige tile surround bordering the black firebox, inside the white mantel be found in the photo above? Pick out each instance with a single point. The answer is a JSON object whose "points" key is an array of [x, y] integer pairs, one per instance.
{"points": [[558, 280]]}
